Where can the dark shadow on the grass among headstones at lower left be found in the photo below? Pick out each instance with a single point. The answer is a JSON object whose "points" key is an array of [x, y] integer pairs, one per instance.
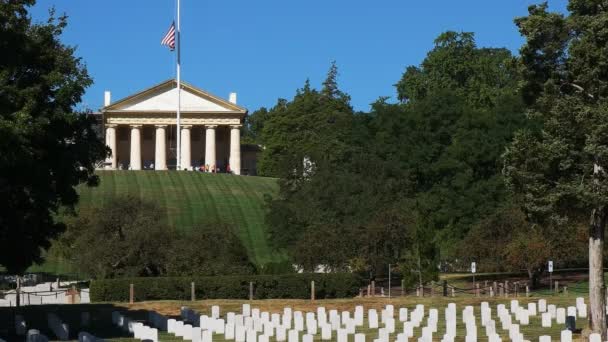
{"points": [[35, 316]]}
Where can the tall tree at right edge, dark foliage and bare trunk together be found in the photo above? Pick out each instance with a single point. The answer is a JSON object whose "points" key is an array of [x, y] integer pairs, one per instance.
{"points": [[559, 169]]}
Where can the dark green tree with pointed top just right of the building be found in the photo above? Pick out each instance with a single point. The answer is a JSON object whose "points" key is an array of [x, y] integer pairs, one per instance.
{"points": [[311, 127]]}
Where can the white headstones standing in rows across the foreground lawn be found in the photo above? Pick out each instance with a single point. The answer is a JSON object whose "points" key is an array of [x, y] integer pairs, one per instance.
{"points": [[246, 328]]}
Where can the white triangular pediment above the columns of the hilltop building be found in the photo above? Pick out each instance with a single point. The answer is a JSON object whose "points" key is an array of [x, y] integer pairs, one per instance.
{"points": [[162, 98]]}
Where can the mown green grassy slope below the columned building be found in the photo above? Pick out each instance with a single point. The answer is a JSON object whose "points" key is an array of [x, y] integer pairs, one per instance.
{"points": [[189, 200]]}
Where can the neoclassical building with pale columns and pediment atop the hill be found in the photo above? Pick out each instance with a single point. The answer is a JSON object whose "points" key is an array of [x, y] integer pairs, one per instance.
{"points": [[141, 130]]}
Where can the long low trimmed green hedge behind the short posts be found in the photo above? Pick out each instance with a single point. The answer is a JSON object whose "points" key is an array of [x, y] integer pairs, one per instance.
{"points": [[296, 286]]}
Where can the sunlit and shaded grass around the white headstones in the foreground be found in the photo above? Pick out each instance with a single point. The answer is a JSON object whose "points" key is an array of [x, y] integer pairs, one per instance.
{"points": [[35, 316]]}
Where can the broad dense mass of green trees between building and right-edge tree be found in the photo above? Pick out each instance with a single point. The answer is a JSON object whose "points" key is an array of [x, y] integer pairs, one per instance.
{"points": [[404, 181]]}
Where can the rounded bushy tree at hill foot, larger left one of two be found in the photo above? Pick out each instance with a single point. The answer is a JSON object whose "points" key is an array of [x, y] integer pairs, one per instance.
{"points": [[134, 240]]}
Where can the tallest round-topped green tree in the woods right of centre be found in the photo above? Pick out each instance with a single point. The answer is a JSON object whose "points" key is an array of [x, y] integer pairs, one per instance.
{"points": [[460, 109]]}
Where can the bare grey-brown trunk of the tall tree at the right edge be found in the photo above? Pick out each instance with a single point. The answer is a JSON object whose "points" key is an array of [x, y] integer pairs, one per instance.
{"points": [[597, 289]]}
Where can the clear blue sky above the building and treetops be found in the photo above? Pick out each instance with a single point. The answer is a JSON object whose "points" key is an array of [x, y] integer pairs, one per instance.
{"points": [[265, 49]]}
